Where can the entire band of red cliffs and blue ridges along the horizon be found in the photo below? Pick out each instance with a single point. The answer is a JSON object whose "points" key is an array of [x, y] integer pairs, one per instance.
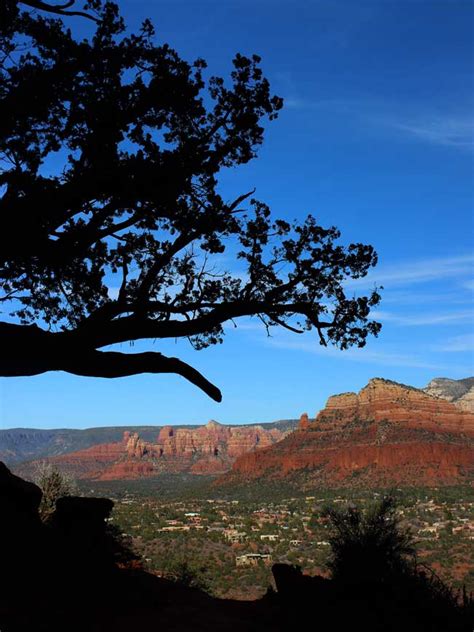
{"points": [[417, 433]]}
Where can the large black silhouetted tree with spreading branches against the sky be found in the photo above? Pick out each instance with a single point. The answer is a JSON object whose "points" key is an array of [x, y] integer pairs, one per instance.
{"points": [[113, 227]]}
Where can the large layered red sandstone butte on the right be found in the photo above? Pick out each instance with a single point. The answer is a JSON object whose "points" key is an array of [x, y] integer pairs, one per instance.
{"points": [[387, 434]]}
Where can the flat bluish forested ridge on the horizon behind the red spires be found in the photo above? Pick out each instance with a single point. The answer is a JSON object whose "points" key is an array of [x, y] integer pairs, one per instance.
{"points": [[26, 444]]}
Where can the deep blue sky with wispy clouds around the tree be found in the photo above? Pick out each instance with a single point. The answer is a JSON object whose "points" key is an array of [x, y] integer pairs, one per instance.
{"points": [[376, 137]]}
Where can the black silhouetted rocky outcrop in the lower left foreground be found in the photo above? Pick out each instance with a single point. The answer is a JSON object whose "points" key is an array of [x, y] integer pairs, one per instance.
{"points": [[73, 554]]}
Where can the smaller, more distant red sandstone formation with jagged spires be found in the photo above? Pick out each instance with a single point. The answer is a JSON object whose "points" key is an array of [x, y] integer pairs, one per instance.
{"points": [[209, 449]]}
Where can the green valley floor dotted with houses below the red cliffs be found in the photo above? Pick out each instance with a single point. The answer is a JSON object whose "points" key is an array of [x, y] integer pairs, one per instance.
{"points": [[181, 527]]}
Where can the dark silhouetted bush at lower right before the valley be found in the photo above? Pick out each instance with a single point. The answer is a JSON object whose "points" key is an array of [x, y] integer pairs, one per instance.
{"points": [[374, 568]]}
